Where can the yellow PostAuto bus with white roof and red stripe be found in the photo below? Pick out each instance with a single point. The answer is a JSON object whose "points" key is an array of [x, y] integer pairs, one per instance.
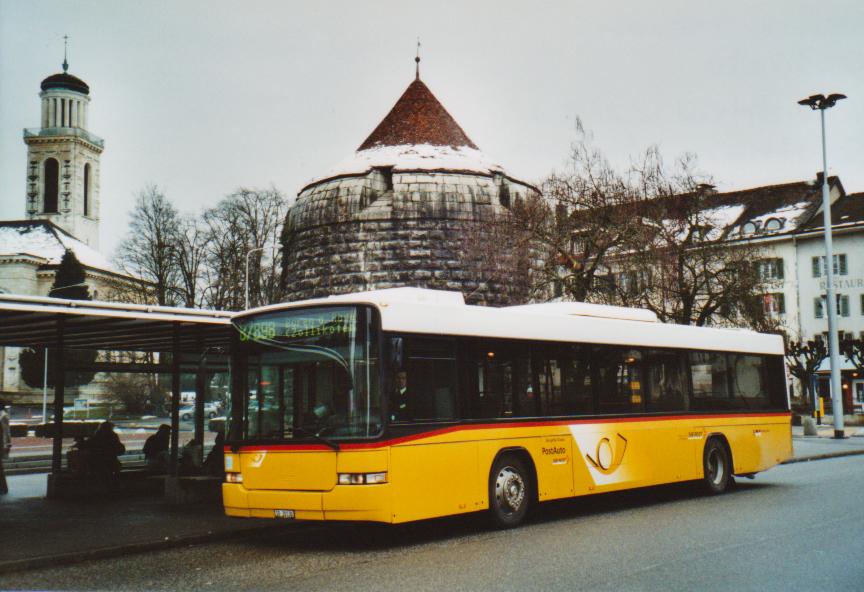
{"points": [[406, 404]]}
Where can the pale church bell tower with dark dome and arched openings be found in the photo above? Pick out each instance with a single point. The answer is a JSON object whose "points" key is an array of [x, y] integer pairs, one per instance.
{"points": [[63, 160]]}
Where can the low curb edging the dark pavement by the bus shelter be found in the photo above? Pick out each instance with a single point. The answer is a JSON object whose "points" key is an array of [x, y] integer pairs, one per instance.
{"points": [[63, 559]]}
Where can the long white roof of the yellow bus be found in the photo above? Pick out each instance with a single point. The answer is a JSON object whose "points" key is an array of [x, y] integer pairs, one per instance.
{"points": [[438, 312]]}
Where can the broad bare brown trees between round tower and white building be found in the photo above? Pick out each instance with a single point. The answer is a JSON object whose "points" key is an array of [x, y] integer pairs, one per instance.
{"points": [[651, 236]]}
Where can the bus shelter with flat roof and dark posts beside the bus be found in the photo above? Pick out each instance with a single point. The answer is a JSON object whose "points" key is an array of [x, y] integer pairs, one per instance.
{"points": [[195, 341]]}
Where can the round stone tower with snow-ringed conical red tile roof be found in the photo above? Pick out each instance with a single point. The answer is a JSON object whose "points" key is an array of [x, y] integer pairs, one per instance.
{"points": [[396, 213]]}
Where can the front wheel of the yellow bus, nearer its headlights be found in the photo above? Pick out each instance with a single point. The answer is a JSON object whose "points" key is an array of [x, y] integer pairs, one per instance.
{"points": [[509, 492]]}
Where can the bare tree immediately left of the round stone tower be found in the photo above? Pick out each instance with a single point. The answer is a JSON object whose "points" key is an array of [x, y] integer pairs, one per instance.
{"points": [[248, 221]]}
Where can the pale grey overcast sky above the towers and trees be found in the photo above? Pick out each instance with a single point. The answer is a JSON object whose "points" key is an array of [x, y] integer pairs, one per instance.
{"points": [[203, 97]]}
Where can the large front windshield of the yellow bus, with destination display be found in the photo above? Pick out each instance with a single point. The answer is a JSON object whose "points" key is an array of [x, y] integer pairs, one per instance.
{"points": [[310, 374]]}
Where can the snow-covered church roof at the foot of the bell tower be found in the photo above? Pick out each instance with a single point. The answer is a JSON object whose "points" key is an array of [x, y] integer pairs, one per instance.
{"points": [[42, 239]]}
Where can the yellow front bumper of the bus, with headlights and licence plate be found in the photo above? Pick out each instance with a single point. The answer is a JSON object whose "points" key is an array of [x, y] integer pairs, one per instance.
{"points": [[344, 502]]}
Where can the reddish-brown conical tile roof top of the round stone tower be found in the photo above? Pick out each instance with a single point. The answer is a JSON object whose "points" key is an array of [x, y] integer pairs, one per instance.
{"points": [[418, 118]]}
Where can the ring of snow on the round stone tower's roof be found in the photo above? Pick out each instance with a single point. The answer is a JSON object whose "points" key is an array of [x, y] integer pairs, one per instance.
{"points": [[415, 157]]}
